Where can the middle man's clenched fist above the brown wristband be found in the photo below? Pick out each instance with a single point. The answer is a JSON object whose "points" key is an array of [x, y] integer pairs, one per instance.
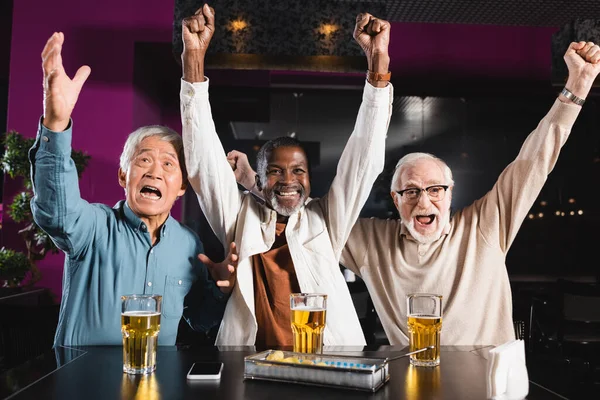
{"points": [[373, 36]]}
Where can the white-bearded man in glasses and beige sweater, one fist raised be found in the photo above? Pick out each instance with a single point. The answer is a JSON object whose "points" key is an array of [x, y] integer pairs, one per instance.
{"points": [[461, 257]]}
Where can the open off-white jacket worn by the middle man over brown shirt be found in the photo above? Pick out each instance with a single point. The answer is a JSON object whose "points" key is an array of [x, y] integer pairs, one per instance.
{"points": [[315, 235]]}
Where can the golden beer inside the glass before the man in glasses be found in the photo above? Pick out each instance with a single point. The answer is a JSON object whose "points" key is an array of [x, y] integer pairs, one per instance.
{"points": [[423, 331]]}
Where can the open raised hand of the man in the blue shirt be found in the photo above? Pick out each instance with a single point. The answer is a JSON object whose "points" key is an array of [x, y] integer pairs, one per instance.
{"points": [[60, 92]]}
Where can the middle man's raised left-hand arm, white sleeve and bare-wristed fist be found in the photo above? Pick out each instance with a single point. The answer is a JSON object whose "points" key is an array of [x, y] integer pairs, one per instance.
{"points": [[209, 172]]}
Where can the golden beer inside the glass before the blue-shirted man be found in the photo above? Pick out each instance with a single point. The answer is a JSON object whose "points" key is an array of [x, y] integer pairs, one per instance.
{"points": [[140, 338]]}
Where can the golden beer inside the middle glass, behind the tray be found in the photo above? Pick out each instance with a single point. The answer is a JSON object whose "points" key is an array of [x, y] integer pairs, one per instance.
{"points": [[307, 329]]}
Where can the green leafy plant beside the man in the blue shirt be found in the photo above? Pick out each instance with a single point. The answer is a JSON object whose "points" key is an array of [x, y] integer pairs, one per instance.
{"points": [[15, 163]]}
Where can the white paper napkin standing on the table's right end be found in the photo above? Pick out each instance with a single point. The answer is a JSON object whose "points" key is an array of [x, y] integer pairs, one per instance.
{"points": [[507, 377]]}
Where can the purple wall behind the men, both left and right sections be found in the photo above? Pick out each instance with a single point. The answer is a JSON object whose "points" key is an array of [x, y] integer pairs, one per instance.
{"points": [[102, 35]]}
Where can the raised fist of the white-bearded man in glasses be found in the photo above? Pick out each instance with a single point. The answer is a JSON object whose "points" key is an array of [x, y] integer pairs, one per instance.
{"points": [[583, 62]]}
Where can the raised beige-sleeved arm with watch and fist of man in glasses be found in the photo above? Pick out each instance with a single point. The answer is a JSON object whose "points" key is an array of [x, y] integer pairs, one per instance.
{"points": [[504, 208]]}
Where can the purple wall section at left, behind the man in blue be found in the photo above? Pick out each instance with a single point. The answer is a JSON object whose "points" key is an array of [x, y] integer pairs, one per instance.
{"points": [[102, 35]]}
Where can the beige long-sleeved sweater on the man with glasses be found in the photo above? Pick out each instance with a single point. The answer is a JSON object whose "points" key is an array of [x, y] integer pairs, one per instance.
{"points": [[466, 265]]}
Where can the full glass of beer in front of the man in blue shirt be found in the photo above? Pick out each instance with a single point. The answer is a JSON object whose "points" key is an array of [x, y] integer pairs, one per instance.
{"points": [[140, 324]]}
